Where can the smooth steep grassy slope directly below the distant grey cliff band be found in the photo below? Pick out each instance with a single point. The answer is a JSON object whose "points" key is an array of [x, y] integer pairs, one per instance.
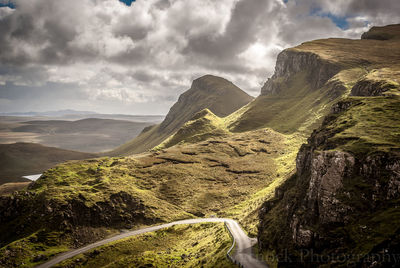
{"points": [[286, 112]]}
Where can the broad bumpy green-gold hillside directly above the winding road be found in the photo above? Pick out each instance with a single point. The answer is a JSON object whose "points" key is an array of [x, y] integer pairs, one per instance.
{"points": [[82, 201]]}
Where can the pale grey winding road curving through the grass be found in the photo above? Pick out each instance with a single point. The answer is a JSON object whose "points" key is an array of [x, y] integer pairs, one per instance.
{"points": [[243, 250]]}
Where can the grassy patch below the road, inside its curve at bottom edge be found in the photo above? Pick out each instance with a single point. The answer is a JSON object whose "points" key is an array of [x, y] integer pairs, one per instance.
{"points": [[180, 246]]}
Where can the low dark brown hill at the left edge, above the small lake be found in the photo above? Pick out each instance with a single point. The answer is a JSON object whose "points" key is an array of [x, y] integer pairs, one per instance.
{"points": [[21, 159]]}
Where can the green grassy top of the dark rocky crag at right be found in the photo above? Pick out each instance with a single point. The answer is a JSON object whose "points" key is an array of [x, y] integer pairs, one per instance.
{"points": [[372, 124]]}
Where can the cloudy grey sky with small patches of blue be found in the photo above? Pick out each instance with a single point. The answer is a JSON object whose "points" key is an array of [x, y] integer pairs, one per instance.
{"points": [[137, 57]]}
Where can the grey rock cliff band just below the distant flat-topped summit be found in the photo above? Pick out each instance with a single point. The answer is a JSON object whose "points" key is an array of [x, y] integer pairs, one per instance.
{"points": [[291, 62]]}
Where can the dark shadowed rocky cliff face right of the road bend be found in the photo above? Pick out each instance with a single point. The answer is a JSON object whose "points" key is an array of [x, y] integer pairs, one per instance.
{"points": [[334, 196]]}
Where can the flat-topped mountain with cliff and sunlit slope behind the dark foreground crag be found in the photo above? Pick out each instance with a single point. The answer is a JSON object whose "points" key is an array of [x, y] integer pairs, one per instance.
{"points": [[311, 77]]}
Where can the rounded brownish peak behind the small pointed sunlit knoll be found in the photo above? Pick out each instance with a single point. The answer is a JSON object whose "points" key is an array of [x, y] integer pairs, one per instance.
{"points": [[208, 92]]}
